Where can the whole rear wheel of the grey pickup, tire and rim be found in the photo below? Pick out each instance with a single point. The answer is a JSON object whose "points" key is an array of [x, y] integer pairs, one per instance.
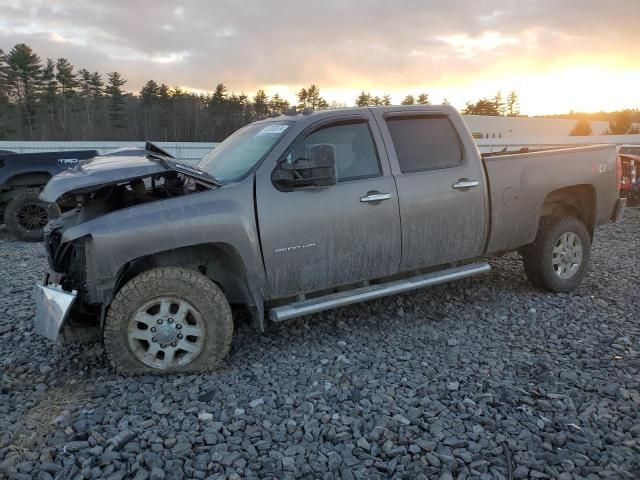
{"points": [[558, 258]]}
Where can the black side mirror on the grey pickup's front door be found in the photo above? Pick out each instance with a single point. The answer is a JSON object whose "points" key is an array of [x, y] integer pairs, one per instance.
{"points": [[317, 170]]}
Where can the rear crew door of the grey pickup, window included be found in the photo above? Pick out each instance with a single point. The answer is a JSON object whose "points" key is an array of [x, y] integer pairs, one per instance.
{"points": [[441, 190]]}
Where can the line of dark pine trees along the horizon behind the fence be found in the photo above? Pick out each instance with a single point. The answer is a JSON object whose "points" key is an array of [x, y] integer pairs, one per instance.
{"points": [[52, 100]]}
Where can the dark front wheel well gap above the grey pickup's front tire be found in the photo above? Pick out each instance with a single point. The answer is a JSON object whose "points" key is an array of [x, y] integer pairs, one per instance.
{"points": [[220, 262]]}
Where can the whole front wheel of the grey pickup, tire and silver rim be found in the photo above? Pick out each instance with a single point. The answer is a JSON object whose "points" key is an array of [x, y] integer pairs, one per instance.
{"points": [[168, 320]]}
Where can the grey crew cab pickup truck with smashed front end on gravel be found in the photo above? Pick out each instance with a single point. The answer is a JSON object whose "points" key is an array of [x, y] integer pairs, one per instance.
{"points": [[301, 213]]}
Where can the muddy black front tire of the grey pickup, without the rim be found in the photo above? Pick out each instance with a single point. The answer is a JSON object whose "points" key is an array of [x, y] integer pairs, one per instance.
{"points": [[202, 294]]}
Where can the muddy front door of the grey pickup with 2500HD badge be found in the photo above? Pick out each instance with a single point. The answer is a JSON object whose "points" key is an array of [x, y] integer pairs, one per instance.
{"points": [[314, 238]]}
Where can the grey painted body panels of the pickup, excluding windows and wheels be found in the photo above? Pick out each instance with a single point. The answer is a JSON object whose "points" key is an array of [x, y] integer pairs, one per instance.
{"points": [[342, 240]]}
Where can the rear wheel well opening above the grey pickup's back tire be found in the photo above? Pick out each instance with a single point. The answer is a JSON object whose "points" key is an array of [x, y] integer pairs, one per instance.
{"points": [[578, 201]]}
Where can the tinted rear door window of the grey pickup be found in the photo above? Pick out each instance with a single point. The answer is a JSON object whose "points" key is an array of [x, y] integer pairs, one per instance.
{"points": [[425, 143]]}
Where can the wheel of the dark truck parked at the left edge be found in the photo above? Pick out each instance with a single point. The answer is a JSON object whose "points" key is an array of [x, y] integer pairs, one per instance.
{"points": [[26, 216]]}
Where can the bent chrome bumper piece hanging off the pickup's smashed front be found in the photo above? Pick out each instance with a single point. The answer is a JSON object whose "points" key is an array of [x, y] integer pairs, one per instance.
{"points": [[53, 305]]}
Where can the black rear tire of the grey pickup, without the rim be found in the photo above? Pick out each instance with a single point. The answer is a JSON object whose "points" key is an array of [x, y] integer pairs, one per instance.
{"points": [[538, 257]]}
